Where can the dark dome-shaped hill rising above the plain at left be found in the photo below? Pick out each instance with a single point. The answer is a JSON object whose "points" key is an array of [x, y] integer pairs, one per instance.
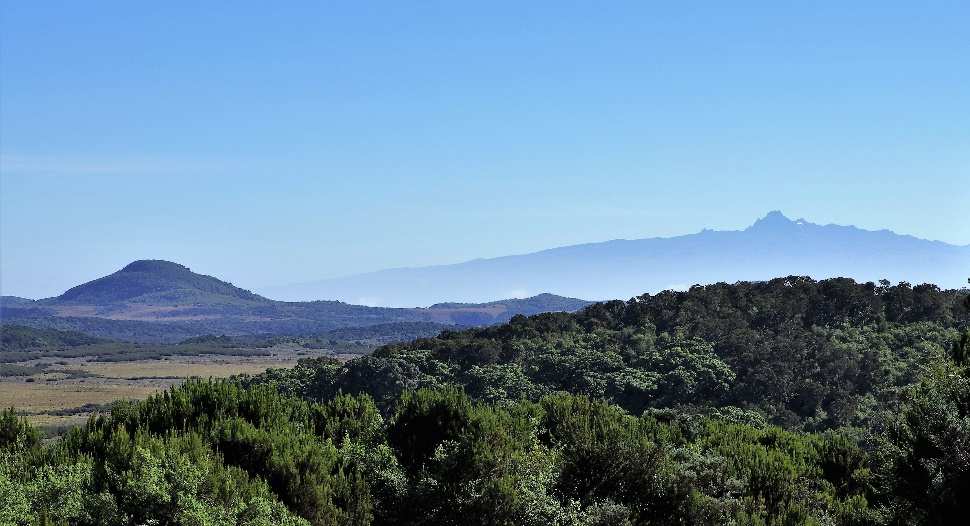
{"points": [[158, 282]]}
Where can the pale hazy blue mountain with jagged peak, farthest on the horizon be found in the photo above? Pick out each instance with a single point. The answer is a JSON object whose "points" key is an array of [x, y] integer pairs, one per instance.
{"points": [[773, 246]]}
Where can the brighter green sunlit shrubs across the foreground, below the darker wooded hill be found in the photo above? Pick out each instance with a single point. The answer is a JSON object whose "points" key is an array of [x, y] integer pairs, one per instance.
{"points": [[218, 453]]}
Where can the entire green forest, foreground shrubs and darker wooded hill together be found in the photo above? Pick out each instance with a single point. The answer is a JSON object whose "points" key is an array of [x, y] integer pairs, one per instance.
{"points": [[784, 402]]}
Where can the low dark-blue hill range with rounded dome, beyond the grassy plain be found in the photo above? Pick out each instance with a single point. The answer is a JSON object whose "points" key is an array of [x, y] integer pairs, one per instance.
{"points": [[161, 301]]}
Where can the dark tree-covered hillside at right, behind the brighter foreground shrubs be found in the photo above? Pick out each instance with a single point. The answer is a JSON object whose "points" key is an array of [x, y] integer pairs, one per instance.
{"points": [[800, 352]]}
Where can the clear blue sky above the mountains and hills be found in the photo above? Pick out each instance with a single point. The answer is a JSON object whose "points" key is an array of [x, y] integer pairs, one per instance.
{"points": [[285, 144]]}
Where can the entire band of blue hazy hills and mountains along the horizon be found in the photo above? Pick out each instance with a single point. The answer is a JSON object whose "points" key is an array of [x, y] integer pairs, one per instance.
{"points": [[154, 300]]}
